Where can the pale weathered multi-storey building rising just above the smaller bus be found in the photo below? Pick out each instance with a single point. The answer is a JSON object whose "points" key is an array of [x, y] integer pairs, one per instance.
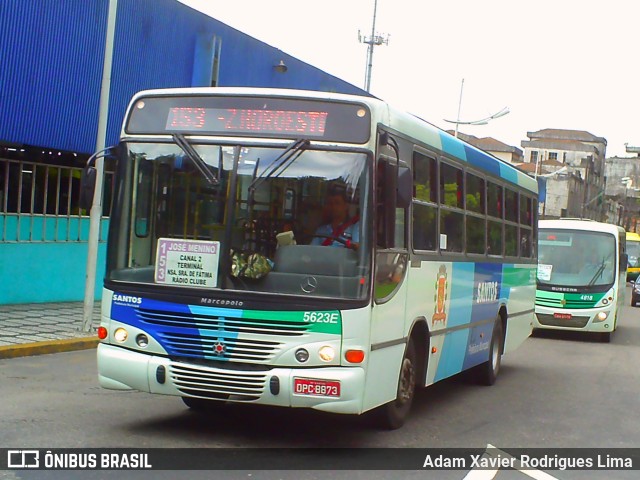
{"points": [[573, 163]]}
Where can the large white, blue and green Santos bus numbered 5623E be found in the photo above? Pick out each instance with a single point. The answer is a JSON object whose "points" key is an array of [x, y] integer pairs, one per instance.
{"points": [[226, 281]]}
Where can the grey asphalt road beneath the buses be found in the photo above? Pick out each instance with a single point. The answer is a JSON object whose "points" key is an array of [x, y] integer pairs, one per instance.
{"points": [[556, 391]]}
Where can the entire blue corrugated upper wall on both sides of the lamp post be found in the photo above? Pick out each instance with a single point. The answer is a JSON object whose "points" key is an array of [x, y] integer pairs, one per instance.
{"points": [[51, 57]]}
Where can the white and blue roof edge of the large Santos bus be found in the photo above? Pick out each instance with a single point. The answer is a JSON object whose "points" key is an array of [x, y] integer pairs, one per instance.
{"points": [[411, 125]]}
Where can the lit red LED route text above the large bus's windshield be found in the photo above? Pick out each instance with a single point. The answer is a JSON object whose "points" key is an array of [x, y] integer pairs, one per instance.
{"points": [[310, 124]]}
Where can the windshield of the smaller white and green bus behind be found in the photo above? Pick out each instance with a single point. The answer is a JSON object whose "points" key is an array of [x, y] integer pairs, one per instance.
{"points": [[575, 259]]}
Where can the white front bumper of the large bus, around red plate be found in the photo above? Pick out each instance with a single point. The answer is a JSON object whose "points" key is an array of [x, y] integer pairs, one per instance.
{"points": [[123, 369]]}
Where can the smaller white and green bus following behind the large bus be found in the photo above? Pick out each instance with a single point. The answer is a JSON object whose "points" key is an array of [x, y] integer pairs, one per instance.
{"points": [[581, 276]]}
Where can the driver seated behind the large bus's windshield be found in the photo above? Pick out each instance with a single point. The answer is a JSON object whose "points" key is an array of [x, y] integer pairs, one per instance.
{"points": [[341, 230]]}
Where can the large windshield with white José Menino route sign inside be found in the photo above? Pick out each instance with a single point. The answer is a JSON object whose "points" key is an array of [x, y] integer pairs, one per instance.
{"points": [[287, 220]]}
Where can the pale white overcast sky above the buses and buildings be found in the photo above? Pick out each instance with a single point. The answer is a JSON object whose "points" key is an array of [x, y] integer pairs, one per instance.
{"points": [[569, 64]]}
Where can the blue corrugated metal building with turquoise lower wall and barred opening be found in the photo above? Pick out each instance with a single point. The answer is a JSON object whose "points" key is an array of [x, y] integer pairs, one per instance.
{"points": [[51, 62]]}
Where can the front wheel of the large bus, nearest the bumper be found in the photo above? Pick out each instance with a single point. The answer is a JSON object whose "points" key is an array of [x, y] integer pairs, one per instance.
{"points": [[394, 414]]}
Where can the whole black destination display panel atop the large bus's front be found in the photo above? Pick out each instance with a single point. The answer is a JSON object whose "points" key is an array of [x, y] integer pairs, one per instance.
{"points": [[263, 117]]}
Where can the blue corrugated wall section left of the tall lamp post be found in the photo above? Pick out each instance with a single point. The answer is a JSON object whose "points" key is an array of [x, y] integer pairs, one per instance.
{"points": [[51, 54]]}
